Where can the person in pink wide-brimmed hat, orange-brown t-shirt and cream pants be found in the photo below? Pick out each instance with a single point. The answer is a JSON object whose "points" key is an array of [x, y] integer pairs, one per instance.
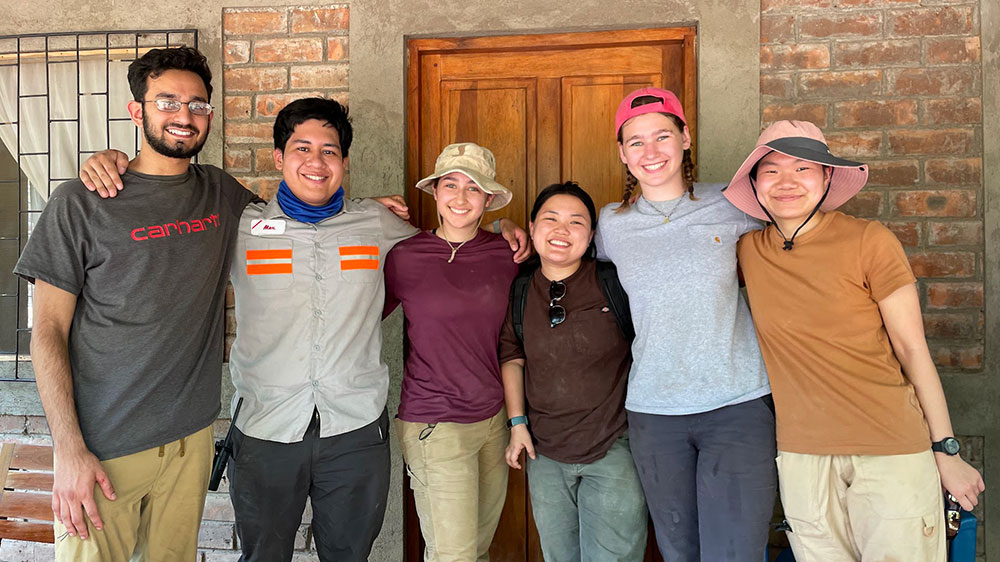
{"points": [[865, 441]]}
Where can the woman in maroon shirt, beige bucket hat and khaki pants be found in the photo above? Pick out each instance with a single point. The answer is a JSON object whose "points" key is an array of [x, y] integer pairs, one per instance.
{"points": [[453, 283]]}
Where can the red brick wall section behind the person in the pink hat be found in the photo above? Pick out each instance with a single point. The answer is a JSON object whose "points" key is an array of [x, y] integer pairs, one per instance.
{"points": [[897, 84]]}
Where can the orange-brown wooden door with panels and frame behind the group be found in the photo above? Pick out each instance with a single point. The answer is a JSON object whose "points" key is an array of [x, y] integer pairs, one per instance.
{"points": [[545, 106]]}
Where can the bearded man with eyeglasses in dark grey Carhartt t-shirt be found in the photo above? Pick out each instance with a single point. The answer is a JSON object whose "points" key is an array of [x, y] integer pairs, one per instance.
{"points": [[128, 331]]}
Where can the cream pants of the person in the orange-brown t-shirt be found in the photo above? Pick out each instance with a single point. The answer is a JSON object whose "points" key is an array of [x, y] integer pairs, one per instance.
{"points": [[863, 508]]}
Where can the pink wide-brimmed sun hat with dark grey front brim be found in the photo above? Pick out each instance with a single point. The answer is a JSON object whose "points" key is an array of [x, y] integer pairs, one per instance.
{"points": [[799, 139]]}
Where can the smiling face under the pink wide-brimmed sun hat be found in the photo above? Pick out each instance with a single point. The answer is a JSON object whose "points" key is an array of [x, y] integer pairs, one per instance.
{"points": [[789, 187]]}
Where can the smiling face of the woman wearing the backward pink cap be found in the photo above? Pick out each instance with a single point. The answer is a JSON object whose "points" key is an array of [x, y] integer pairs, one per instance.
{"points": [[653, 148]]}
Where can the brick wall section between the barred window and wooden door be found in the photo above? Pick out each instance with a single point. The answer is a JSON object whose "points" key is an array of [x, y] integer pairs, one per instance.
{"points": [[271, 57]]}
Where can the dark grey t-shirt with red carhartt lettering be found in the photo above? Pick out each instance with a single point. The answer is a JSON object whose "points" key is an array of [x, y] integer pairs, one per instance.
{"points": [[149, 270]]}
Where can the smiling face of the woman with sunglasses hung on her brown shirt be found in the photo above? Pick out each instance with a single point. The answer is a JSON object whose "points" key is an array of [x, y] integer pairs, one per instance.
{"points": [[561, 231]]}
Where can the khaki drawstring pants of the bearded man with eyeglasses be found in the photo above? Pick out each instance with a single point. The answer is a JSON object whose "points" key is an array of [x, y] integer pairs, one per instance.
{"points": [[157, 513]]}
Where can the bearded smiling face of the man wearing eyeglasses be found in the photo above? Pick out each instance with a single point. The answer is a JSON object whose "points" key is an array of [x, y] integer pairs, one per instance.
{"points": [[174, 135]]}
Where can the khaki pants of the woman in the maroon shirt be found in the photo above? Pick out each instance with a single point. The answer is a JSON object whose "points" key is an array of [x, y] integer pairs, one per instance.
{"points": [[459, 481]]}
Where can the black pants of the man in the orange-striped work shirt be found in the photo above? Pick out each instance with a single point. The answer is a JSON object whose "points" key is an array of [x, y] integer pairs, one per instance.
{"points": [[345, 477]]}
